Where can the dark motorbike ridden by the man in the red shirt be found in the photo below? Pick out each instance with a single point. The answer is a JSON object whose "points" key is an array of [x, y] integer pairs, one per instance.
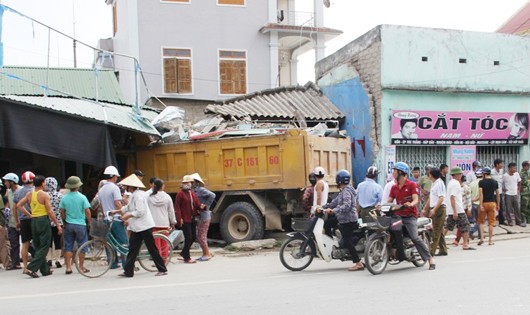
{"points": [[381, 249]]}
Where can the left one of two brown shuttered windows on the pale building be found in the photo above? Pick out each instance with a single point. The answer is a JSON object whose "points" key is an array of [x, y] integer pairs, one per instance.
{"points": [[177, 70]]}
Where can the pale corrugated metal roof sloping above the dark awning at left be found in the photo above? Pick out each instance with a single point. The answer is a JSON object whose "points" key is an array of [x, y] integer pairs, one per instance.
{"points": [[110, 114]]}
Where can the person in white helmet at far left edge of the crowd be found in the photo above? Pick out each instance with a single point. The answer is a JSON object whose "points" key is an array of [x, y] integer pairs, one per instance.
{"points": [[11, 183]]}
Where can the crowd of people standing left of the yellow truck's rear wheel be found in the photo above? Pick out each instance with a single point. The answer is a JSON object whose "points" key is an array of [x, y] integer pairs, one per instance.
{"points": [[51, 223]]}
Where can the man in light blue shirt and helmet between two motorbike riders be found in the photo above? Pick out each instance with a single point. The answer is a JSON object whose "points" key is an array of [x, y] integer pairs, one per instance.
{"points": [[369, 193]]}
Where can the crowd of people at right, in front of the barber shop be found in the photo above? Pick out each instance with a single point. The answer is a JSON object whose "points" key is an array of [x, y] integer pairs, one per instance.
{"points": [[485, 196]]}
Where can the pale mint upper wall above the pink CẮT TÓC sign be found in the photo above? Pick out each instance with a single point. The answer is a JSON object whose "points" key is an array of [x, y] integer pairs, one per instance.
{"points": [[404, 46]]}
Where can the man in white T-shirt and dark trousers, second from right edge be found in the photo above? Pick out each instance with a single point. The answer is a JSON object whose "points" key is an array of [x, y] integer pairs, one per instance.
{"points": [[512, 189]]}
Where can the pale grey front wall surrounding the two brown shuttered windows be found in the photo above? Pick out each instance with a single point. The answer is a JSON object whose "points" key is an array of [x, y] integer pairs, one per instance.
{"points": [[204, 27]]}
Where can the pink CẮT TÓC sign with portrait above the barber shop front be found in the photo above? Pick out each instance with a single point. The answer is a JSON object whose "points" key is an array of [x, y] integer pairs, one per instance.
{"points": [[459, 128]]}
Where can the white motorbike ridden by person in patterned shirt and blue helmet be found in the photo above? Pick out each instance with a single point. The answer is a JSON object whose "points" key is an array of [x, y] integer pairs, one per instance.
{"points": [[309, 241]]}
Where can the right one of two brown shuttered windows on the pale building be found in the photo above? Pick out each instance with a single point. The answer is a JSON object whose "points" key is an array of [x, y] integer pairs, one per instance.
{"points": [[233, 72]]}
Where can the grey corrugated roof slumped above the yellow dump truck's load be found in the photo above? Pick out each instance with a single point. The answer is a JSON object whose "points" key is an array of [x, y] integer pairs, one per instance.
{"points": [[281, 102]]}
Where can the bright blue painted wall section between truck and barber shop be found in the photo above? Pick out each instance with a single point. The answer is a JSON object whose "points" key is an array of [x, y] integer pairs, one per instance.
{"points": [[350, 97]]}
